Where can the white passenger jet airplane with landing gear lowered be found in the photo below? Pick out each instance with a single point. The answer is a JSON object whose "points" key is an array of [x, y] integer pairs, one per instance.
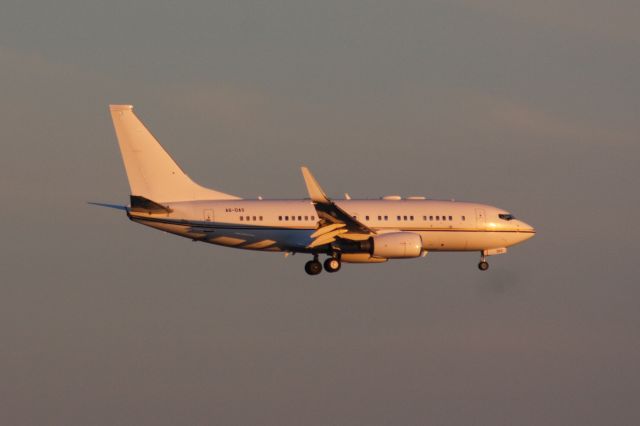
{"points": [[346, 230]]}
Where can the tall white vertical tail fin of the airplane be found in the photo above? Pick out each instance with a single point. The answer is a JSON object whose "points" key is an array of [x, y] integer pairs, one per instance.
{"points": [[151, 171]]}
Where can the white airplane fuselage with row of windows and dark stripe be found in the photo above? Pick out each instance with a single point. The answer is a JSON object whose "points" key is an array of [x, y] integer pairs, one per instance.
{"points": [[287, 225]]}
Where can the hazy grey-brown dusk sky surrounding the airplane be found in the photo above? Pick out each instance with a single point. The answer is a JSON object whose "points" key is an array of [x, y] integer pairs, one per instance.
{"points": [[530, 106]]}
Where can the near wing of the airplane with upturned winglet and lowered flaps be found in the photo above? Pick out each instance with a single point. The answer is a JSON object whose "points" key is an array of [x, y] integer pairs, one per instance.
{"points": [[334, 221]]}
